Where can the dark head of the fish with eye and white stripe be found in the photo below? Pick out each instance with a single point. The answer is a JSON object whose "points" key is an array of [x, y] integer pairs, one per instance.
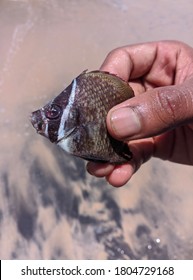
{"points": [[58, 118]]}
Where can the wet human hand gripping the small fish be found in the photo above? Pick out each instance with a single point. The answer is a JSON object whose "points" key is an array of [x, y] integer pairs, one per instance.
{"points": [[161, 75]]}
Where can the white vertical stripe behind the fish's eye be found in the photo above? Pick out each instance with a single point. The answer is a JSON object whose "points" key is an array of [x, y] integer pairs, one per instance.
{"points": [[61, 131]]}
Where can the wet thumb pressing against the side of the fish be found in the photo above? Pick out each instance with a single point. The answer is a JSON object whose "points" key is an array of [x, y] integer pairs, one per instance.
{"points": [[152, 112]]}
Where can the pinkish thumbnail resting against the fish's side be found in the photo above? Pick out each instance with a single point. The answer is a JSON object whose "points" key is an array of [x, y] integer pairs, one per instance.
{"points": [[125, 122]]}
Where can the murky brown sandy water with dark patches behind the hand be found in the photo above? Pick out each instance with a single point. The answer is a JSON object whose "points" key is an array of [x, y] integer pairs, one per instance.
{"points": [[49, 206]]}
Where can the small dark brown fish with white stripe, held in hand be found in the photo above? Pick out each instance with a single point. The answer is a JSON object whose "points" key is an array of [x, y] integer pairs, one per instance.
{"points": [[75, 120]]}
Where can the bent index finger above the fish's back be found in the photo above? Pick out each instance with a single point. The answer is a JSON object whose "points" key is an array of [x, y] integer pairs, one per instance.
{"points": [[156, 60]]}
